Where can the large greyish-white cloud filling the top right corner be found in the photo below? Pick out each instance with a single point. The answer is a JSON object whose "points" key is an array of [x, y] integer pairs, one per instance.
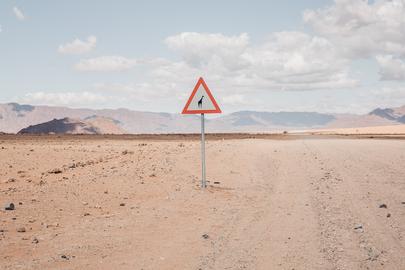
{"points": [[362, 28]]}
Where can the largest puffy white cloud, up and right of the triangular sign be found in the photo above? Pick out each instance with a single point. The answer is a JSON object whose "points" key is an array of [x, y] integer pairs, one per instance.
{"points": [[298, 61]]}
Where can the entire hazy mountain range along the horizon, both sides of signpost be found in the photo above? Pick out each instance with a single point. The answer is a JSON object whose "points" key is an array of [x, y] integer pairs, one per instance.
{"points": [[16, 118]]}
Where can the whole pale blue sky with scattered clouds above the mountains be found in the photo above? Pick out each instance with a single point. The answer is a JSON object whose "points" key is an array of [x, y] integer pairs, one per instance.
{"points": [[342, 56]]}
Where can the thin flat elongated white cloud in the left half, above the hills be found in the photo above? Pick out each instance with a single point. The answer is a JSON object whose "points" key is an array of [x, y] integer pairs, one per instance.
{"points": [[106, 63]]}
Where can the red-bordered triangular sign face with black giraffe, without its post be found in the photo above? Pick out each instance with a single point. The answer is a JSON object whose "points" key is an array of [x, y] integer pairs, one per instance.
{"points": [[201, 100]]}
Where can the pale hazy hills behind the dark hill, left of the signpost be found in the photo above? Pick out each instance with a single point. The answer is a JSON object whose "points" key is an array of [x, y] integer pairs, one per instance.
{"points": [[14, 117]]}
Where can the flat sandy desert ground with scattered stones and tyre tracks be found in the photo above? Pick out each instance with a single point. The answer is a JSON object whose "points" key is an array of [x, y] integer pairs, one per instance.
{"points": [[287, 202]]}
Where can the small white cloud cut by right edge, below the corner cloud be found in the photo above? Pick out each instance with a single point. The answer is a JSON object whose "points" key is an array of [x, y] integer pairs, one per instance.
{"points": [[391, 68]]}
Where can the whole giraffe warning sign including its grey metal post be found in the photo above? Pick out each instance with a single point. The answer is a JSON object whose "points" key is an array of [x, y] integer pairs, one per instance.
{"points": [[201, 101]]}
